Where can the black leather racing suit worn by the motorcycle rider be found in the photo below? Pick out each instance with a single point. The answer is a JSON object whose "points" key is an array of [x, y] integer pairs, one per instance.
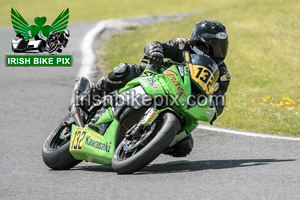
{"points": [[172, 49]]}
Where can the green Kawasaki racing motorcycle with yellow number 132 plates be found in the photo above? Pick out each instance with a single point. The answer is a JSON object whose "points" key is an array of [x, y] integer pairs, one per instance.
{"points": [[139, 122]]}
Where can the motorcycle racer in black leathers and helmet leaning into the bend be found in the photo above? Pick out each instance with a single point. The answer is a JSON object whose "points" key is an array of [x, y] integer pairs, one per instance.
{"points": [[208, 38]]}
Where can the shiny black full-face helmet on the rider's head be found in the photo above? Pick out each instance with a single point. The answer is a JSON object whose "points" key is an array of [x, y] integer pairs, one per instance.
{"points": [[211, 38]]}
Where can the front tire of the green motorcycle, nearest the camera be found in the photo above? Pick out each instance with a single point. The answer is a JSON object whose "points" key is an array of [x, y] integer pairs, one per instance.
{"points": [[159, 139]]}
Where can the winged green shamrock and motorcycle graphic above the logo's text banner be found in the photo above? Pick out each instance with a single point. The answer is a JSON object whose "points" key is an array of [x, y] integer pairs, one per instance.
{"points": [[48, 38]]}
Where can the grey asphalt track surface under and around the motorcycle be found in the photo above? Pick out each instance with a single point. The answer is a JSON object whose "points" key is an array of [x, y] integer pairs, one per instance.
{"points": [[221, 166]]}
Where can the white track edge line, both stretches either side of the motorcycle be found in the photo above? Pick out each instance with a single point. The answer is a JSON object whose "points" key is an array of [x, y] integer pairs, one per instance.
{"points": [[88, 63]]}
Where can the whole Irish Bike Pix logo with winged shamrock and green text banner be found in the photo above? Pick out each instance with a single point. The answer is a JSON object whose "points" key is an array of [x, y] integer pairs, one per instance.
{"points": [[39, 44]]}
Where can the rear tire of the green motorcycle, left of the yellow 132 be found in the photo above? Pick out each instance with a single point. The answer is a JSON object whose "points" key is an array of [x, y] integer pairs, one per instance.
{"points": [[56, 154]]}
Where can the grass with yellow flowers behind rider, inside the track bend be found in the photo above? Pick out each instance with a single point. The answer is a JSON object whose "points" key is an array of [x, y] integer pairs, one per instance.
{"points": [[263, 60]]}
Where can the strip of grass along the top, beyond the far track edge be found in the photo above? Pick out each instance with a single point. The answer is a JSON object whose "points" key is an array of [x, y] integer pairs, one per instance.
{"points": [[92, 10]]}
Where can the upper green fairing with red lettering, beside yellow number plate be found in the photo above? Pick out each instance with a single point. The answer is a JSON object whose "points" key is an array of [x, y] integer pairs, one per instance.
{"points": [[170, 83]]}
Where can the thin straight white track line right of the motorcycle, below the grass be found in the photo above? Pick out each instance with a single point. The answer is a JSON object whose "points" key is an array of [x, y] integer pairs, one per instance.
{"points": [[249, 134]]}
